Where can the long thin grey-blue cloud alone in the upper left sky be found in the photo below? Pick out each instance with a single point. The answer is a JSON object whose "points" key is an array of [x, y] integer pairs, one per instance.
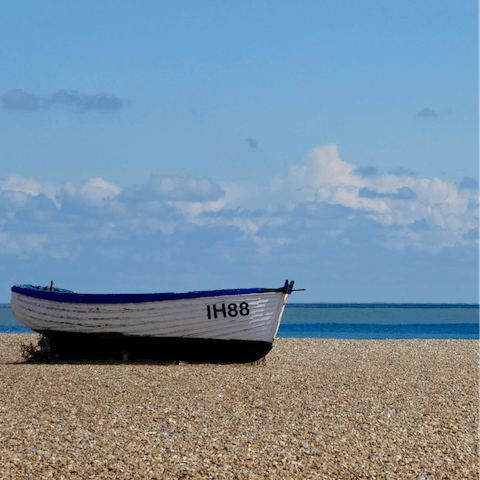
{"points": [[19, 100]]}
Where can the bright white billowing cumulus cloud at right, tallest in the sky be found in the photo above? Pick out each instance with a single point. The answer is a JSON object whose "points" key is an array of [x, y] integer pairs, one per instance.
{"points": [[392, 200]]}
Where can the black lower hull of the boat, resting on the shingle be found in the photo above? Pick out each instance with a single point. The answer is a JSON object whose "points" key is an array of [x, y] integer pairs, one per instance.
{"points": [[115, 346]]}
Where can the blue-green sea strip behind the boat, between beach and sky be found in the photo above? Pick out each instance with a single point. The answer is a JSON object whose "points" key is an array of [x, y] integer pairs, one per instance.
{"points": [[356, 321]]}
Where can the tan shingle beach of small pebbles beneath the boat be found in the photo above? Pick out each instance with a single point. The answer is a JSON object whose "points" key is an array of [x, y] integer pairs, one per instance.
{"points": [[317, 409]]}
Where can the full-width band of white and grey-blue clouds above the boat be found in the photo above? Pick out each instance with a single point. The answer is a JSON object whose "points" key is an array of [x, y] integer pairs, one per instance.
{"points": [[321, 200]]}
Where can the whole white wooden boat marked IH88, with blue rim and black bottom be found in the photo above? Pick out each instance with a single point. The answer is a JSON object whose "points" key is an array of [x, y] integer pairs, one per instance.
{"points": [[218, 326]]}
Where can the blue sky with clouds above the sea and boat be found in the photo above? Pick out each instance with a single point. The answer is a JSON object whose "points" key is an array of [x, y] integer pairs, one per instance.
{"points": [[176, 146]]}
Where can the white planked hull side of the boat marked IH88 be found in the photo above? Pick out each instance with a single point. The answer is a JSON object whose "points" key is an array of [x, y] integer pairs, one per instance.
{"points": [[185, 318]]}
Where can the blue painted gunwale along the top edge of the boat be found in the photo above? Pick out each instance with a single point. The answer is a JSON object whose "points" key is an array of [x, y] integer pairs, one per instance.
{"points": [[67, 296]]}
